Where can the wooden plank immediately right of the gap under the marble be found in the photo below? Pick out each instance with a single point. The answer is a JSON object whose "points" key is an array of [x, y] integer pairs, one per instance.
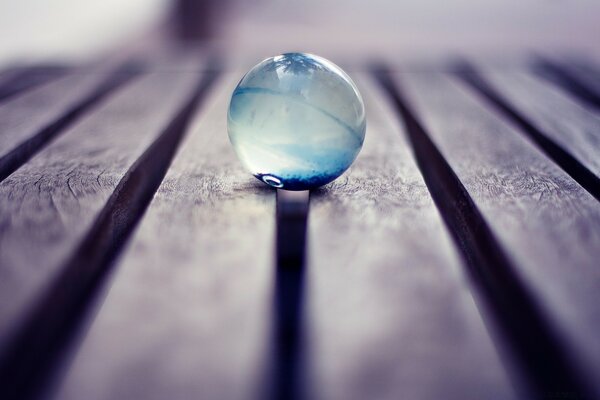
{"points": [[389, 310]]}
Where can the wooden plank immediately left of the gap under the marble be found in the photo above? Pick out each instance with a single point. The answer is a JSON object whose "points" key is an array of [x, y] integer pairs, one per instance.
{"points": [[189, 310]]}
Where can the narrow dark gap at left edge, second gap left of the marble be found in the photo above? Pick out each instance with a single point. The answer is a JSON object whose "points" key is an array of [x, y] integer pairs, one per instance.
{"points": [[18, 156]]}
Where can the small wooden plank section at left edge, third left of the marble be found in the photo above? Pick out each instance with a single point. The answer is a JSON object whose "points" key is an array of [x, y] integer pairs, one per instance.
{"points": [[24, 116]]}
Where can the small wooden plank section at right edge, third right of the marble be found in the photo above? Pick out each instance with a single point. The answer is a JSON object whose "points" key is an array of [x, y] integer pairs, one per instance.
{"points": [[556, 114]]}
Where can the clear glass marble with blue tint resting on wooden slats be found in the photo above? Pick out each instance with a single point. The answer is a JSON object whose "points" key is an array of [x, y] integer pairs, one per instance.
{"points": [[296, 121]]}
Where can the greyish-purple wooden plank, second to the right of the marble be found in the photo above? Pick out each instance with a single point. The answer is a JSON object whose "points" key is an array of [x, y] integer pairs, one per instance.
{"points": [[546, 222]]}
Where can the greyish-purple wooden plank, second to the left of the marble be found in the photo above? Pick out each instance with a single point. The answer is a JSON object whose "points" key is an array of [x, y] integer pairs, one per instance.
{"points": [[50, 203]]}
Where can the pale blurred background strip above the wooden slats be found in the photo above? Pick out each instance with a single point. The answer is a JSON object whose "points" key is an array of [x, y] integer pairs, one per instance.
{"points": [[71, 30]]}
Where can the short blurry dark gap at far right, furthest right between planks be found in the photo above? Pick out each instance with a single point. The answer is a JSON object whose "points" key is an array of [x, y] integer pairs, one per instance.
{"points": [[566, 80]]}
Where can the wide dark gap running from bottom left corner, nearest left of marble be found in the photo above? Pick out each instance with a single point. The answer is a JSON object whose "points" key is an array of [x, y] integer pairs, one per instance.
{"points": [[40, 343]]}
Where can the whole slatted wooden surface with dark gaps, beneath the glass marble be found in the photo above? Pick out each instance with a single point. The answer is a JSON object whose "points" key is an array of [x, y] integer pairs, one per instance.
{"points": [[456, 259]]}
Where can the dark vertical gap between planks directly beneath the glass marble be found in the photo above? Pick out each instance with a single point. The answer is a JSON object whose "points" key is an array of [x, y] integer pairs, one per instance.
{"points": [[292, 214]]}
